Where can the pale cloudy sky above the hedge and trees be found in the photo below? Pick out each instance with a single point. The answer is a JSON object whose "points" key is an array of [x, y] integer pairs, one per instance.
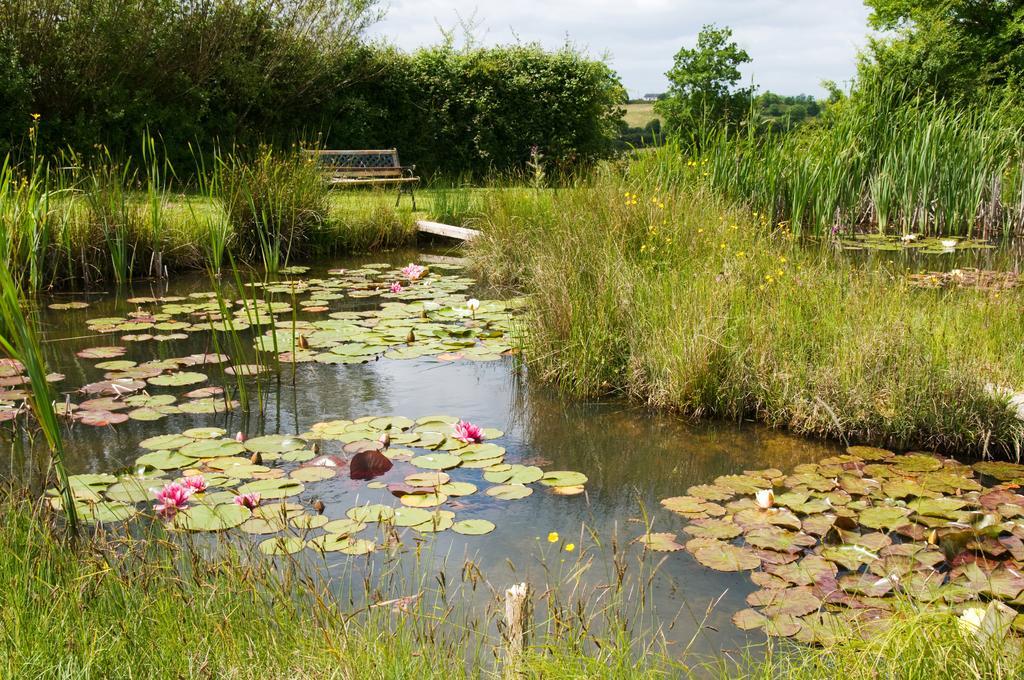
{"points": [[795, 45]]}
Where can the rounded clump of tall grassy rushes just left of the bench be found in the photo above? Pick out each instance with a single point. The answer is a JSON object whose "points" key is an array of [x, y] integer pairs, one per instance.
{"points": [[277, 204]]}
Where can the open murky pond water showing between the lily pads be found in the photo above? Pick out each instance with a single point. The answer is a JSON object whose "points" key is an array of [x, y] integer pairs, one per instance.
{"points": [[631, 458]]}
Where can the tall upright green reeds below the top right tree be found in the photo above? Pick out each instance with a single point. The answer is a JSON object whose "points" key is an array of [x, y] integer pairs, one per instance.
{"points": [[876, 161]]}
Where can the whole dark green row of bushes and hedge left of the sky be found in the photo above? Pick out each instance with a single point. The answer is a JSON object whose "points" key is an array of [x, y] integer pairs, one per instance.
{"points": [[239, 73]]}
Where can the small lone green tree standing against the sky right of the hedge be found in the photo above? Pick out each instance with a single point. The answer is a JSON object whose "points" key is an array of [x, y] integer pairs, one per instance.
{"points": [[703, 82]]}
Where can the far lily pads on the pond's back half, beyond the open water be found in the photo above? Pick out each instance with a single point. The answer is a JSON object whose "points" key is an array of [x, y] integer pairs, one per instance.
{"points": [[430, 318]]}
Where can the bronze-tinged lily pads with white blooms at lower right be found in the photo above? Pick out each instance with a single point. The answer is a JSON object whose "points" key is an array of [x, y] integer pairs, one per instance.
{"points": [[834, 545]]}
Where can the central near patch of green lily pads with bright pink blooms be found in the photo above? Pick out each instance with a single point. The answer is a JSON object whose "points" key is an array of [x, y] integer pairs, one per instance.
{"points": [[203, 481]]}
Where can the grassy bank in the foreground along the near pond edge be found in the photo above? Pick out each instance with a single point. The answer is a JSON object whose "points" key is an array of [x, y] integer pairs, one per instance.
{"points": [[115, 607]]}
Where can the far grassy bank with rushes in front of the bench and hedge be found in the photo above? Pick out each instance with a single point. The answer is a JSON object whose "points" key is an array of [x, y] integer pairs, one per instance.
{"points": [[73, 223]]}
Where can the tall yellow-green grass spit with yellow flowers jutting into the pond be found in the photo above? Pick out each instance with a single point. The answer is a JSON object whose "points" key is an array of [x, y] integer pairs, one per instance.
{"points": [[676, 300]]}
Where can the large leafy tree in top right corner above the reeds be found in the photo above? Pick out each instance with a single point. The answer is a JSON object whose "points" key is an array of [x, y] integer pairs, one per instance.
{"points": [[951, 49]]}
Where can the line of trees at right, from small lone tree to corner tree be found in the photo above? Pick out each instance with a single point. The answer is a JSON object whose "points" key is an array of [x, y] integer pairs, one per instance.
{"points": [[965, 52]]}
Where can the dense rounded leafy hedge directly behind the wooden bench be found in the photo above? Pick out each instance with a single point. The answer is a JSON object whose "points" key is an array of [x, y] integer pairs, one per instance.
{"points": [[479, 112]]}
